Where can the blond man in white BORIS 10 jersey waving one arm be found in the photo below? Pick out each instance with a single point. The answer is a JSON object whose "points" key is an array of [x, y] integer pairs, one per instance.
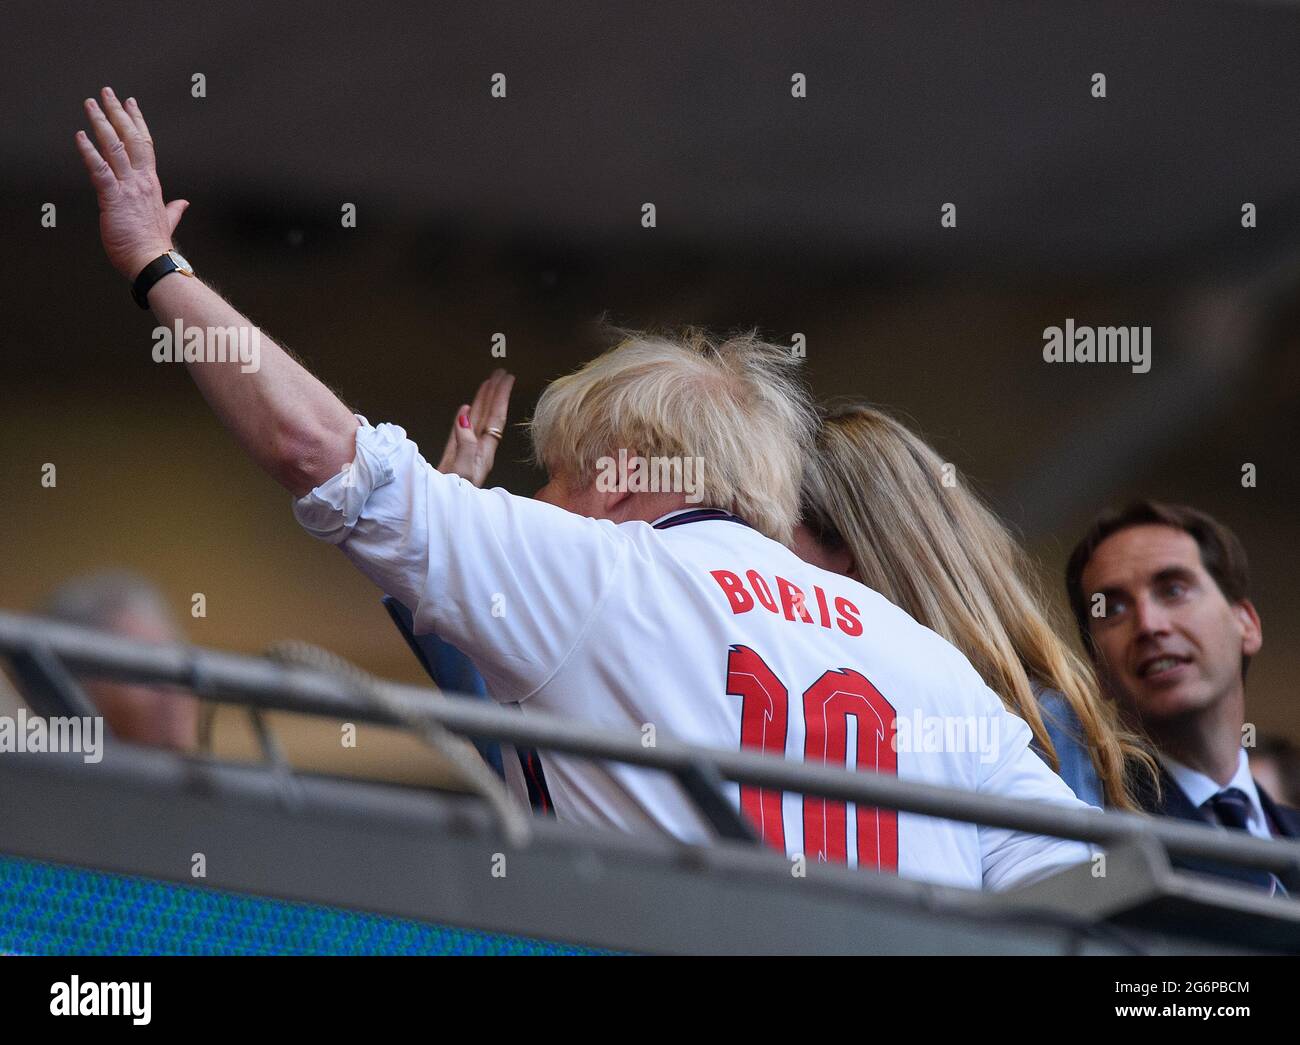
{"points": [[647, 586]]}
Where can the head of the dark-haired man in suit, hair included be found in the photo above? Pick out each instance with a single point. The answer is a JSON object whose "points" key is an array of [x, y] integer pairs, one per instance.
{"points": [[1160, 595]]}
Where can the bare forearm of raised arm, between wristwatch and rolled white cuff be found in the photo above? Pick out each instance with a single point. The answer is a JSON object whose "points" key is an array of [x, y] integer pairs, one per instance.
{"points": [[288, 422]]}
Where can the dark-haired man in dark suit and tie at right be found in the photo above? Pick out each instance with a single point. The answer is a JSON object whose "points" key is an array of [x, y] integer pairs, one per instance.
{"points": [[1160, 593]]}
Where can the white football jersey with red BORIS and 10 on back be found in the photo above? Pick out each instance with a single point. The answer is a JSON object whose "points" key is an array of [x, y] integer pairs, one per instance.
{"points": [[712, 634]]}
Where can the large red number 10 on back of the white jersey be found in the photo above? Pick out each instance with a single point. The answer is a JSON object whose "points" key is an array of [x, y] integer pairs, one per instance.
{"points": [[830, 704]]}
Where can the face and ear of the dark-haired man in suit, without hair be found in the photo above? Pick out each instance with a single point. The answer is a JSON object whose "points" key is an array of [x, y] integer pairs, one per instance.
{"points": [[1169, 643]]}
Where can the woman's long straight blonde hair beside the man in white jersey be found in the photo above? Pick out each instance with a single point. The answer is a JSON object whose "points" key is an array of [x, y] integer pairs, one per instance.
{"points": [[930, 545]]}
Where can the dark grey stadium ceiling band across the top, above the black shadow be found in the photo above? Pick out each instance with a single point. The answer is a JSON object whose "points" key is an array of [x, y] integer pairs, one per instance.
{"points": [[909, 105]]}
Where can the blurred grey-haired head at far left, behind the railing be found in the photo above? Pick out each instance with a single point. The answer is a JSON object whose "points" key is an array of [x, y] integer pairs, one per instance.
{"points": [[128, 605]]}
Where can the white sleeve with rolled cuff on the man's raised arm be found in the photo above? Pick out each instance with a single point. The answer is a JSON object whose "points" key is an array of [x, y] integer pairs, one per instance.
{"points": [[513, 582]]}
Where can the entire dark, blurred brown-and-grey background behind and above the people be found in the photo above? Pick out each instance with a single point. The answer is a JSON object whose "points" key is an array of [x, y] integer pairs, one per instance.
{"points": [[523, 216]]}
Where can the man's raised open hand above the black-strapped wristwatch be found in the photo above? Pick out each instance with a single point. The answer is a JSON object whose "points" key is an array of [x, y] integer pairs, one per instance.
{"points": [[135, 223]]}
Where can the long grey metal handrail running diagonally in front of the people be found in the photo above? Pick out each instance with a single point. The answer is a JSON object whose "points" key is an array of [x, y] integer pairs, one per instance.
{"points": [[268, 684]]}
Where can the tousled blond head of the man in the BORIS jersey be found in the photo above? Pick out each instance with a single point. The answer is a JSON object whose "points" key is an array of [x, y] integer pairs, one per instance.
{"points": [[731, 410]]}
